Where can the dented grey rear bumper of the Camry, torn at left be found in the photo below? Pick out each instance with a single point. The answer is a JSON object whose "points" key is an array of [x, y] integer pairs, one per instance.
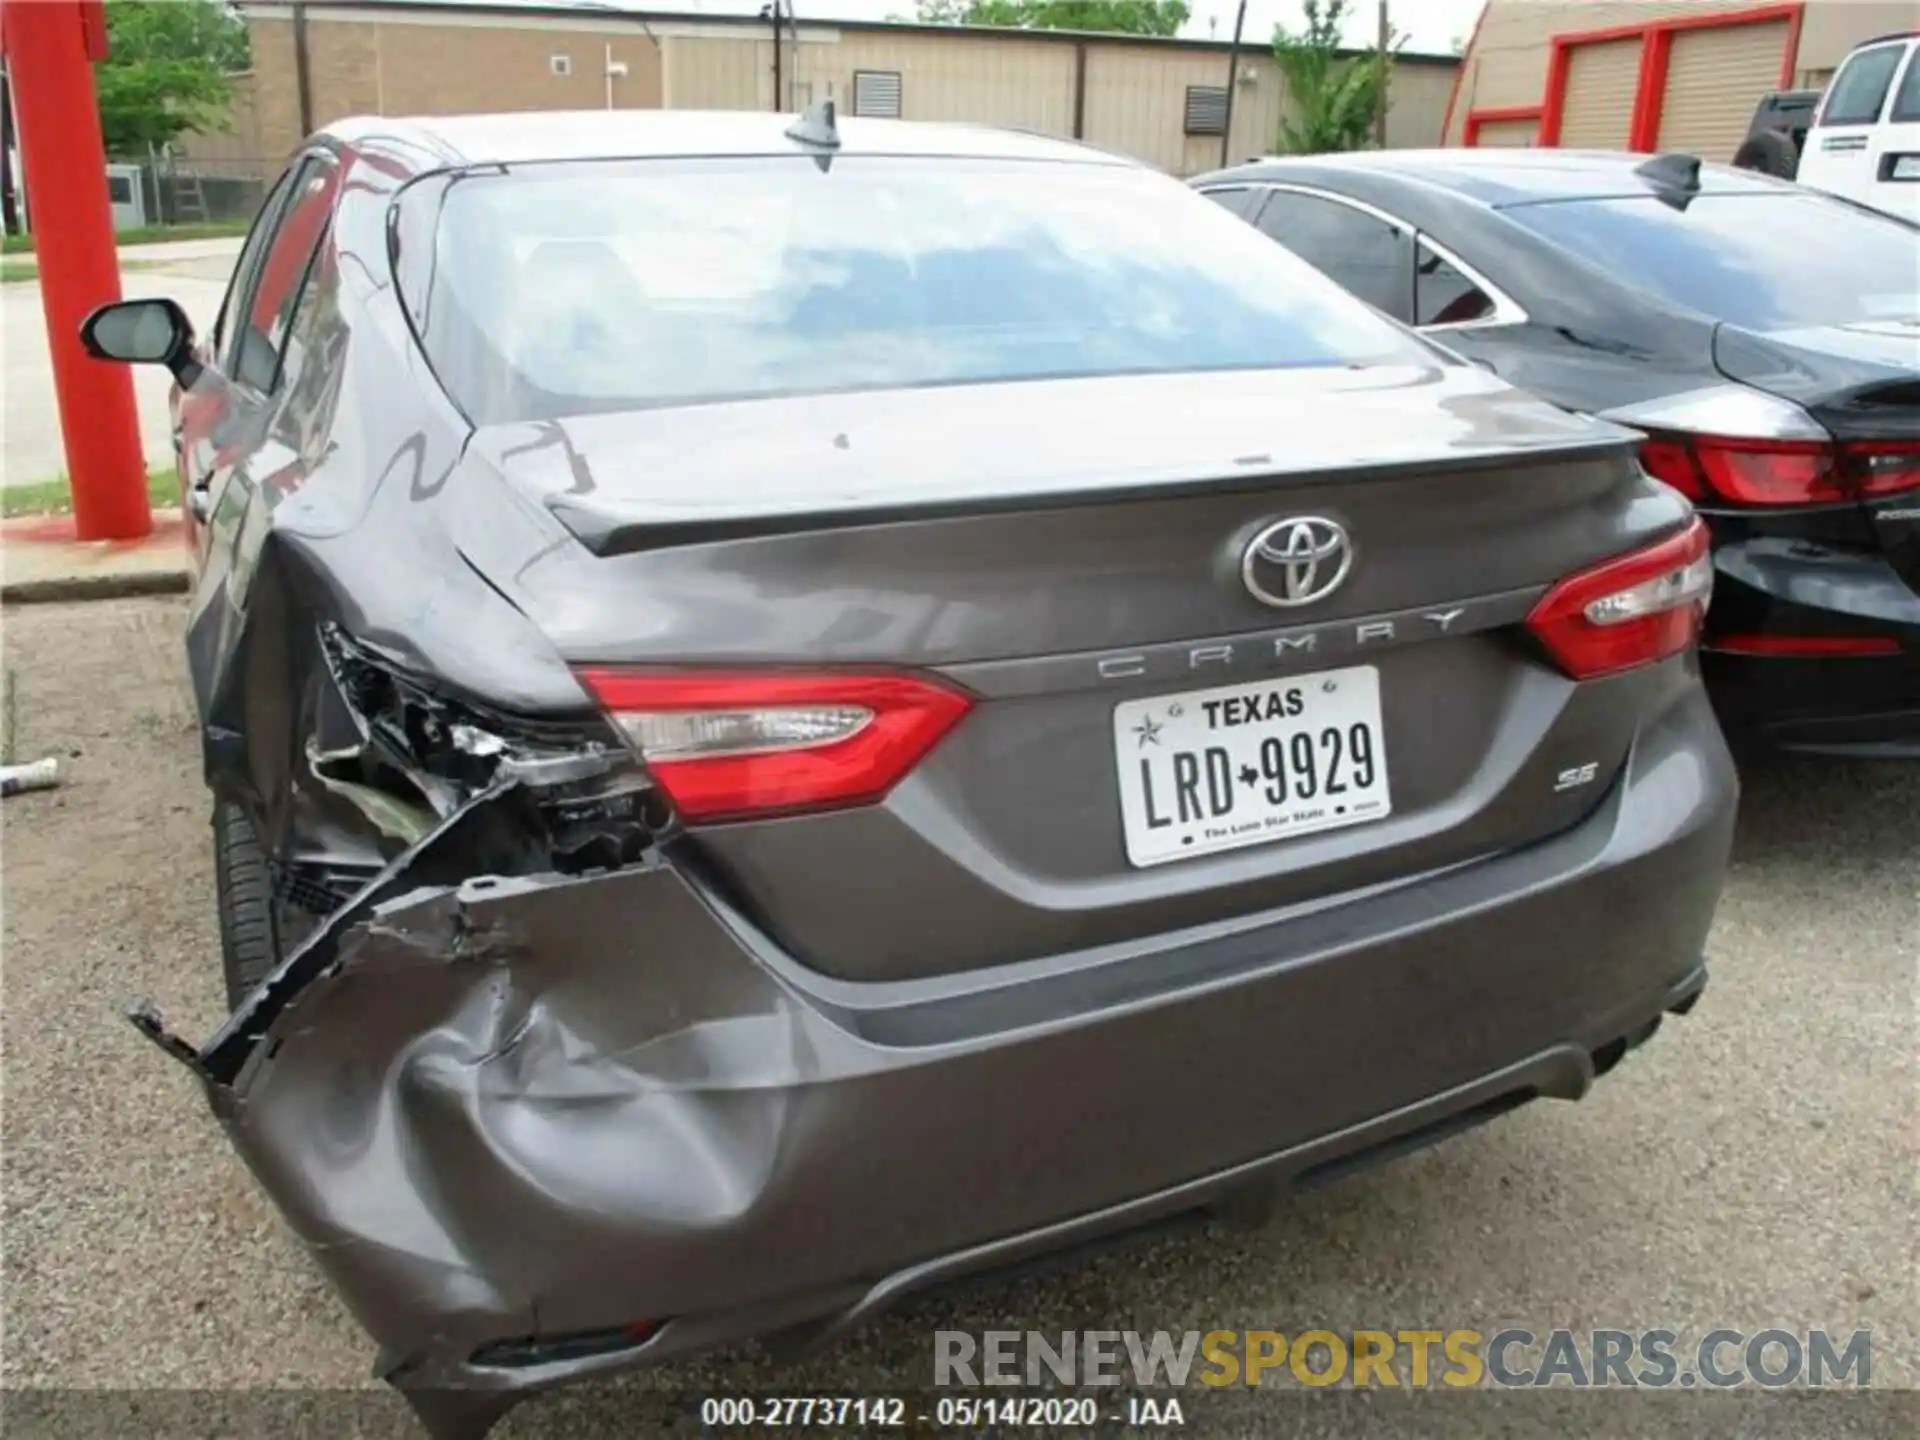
{"points": [[612, 1099]]}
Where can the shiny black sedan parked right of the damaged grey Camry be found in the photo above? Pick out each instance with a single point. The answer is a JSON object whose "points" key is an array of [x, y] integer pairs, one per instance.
{"points": [[1764, 337]]}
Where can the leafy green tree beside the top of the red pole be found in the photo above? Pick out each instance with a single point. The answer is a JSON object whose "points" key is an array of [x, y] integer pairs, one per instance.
{"points": [[168, 70]]}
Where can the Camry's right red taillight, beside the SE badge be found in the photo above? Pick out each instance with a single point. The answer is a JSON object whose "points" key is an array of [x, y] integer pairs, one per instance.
{"points": [[1629, 612]]}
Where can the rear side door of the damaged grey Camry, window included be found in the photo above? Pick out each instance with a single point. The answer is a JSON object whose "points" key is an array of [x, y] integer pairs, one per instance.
{"points": [[233, 458]]}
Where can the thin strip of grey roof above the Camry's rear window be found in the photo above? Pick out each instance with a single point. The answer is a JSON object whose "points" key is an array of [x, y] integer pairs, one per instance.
{"points": [[675, 133]]}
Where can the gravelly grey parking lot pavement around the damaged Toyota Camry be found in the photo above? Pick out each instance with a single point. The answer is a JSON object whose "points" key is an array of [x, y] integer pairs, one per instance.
{"points": [[1754, 1166]]}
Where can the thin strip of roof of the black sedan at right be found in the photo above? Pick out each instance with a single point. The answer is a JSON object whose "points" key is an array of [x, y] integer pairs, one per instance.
{"points": [[1512, 178]]}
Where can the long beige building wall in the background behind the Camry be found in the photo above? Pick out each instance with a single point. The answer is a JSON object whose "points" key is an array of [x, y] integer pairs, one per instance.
{"points": [[1136, 93]]}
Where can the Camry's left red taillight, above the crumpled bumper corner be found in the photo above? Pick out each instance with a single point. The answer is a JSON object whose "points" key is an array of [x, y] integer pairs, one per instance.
{"points": [[732, 744]]}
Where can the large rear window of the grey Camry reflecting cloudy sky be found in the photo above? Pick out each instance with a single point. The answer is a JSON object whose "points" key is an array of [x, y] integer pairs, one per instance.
{"points": [[587, 287]]}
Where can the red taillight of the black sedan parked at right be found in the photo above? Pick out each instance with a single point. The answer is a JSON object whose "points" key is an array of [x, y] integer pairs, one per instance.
{"points": [[1783, 471]]}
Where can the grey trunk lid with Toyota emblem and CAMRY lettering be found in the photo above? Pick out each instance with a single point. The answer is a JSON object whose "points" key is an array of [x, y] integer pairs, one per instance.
{"points": [[1076, 558]]}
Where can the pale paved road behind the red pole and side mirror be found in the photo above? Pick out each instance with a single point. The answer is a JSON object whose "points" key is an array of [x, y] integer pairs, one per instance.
{"points": [[193, 272]]}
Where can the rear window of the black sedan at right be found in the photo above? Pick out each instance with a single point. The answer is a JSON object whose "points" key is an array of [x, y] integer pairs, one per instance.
{"points": [[1765, 262]]}
